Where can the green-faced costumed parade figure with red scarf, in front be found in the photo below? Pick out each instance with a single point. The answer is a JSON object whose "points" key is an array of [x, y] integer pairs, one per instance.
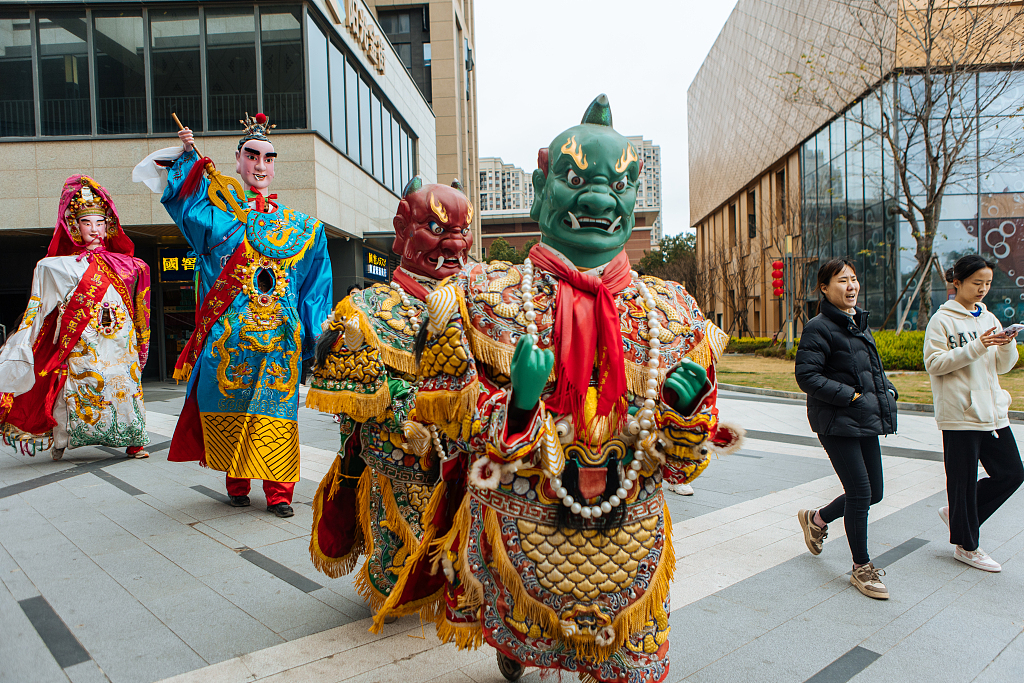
{"points": [[576, 389]]}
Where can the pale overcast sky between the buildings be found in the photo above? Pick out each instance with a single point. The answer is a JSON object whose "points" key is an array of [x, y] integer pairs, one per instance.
{"points": [[540, 63]]}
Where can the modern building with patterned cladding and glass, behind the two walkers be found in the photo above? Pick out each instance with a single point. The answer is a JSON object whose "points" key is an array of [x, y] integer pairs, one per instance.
{"points": [[767, 163]]}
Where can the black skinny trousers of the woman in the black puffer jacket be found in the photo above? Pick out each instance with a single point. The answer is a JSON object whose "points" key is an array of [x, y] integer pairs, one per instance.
{"points": [[858, 461]]}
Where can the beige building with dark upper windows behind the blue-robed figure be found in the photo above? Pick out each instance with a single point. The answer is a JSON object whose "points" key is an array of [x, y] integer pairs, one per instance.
{"points": [[90, 89]]}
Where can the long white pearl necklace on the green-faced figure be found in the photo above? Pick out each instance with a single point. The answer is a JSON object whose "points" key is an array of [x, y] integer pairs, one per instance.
{"points": [[639, 425]]}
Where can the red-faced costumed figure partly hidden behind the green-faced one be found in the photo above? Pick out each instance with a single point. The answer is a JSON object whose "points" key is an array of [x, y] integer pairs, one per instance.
{"points": [[373, 500]]}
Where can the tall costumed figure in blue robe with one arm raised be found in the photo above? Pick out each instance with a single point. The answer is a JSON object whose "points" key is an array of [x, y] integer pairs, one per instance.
{"points": [[264, 277]]}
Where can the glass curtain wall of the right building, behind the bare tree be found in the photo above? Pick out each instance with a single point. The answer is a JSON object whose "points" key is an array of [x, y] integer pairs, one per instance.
{"points": [[849, 191]]}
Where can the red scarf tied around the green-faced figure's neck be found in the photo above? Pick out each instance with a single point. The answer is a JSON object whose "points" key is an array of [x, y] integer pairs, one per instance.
{"points": [[586, 324]]}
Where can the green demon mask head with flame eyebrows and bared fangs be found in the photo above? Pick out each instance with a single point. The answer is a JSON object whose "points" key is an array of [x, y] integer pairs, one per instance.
{"points": [[586, 189]]}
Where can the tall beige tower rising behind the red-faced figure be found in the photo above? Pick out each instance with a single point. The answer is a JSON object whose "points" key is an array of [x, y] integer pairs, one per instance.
{"points": [[436, 42]]}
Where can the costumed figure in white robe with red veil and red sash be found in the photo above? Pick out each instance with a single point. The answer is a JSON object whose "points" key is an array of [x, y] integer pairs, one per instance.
{"points": [[71, 374]]}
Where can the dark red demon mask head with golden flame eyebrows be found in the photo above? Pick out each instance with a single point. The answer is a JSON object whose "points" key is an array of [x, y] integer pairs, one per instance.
{"points": [[433, 230]]}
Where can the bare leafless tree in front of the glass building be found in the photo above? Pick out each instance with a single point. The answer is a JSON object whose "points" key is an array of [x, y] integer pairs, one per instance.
{"points": [[930, 67]]}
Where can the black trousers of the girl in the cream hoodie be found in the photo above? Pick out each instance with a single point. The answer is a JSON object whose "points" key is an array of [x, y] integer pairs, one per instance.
{"points": [[971, 501]]}
